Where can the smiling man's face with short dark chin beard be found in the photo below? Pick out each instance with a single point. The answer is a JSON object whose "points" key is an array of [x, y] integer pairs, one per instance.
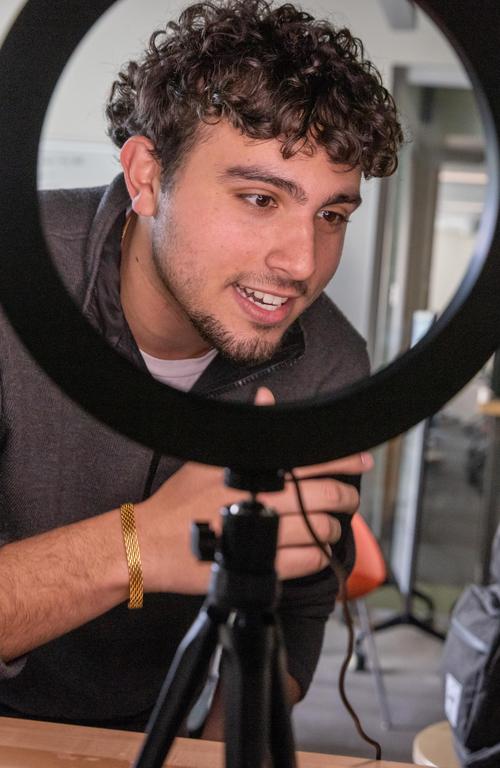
{"points": [[245, 241]]}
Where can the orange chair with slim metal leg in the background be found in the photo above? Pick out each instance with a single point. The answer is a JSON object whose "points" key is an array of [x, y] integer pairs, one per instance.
{"points": [[369, 573]]}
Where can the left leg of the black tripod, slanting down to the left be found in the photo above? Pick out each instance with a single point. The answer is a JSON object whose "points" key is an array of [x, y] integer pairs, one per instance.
{"points": [[190, 665]]}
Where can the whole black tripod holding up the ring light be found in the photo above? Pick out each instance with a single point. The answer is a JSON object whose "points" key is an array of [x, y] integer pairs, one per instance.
{"points": [[239, 612]]}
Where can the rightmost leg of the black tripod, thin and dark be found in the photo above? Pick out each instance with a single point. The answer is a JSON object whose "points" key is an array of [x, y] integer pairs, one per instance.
{"points": [[281, 742]]}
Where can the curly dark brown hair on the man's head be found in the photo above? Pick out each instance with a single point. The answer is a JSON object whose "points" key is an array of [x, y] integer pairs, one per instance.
{"points": [[270, 72]]}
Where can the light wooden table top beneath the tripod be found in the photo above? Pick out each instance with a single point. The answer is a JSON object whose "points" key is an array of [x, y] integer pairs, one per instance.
{"points": [[34, 744]]}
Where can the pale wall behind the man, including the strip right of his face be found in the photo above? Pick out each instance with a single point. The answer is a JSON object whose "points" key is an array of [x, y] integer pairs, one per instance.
{"points": [[76, 112]]}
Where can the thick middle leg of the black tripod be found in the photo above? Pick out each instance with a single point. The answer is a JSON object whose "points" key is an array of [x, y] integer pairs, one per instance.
{"points": [[247, 641]]}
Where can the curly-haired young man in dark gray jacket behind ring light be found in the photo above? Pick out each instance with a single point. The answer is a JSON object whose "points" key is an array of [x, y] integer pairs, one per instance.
{"points": [[244, 132]]}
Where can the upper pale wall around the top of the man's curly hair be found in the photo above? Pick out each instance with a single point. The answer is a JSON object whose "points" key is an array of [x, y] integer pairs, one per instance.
{"points": [[121, 33]]}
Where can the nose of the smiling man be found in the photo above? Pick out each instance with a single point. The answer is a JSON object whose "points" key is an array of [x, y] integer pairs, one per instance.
{"points": [[293, 252]]}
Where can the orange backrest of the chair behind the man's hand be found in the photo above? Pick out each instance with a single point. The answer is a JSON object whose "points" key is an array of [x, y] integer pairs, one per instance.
{"points": [[369, 571]]}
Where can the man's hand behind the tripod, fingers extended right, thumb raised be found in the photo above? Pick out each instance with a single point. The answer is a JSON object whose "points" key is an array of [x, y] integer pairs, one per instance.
{"points": [[197, 492]]}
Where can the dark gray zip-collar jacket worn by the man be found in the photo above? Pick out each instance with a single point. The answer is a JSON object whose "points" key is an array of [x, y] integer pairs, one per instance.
{"points": [[60, 465]]}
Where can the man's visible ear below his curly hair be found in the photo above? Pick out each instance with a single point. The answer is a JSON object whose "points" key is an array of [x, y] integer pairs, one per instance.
{"points": [[142, 174]]}
